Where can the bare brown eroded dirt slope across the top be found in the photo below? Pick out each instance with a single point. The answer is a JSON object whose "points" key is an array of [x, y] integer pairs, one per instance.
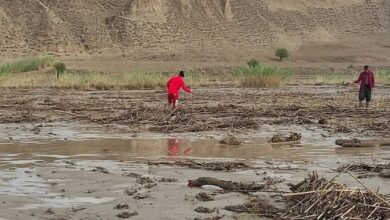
{"points": [[166, 26]]}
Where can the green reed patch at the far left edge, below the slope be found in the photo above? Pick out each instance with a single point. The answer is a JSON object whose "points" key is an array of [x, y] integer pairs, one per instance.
{"points": [[25, 65]]}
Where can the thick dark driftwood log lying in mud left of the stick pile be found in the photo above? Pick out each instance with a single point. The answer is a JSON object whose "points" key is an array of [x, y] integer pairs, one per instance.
{"points": [[226, 185]]}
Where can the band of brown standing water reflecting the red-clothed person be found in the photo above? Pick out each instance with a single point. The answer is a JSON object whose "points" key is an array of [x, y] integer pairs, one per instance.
{"points": [[22, 154]]}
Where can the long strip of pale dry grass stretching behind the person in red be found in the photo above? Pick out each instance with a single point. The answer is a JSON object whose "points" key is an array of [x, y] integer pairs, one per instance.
{"points": [[83, 80]]}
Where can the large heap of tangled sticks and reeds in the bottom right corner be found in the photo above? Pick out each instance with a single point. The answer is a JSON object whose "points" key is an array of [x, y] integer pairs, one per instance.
{"points": [[319, 198]]}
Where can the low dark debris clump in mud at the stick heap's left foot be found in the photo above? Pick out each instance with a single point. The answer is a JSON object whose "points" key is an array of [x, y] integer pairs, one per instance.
{"points": [[259, 207]]}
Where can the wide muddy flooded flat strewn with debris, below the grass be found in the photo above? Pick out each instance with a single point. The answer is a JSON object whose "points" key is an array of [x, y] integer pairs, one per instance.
{"points": [[86, 163]]}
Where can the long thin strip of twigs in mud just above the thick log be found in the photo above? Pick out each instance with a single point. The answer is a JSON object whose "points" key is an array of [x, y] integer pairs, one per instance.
{"points": [[227, 166]]}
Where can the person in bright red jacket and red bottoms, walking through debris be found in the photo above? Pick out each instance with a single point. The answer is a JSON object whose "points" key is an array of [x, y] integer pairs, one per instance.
{"points": [[174, 84]]}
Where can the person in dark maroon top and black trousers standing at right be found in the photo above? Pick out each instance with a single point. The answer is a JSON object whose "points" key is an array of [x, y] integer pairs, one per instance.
{"points": [[367, 83]]}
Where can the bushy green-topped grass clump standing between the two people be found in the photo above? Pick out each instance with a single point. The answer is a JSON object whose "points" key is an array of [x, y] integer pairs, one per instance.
{"points": [[261, 75]]}
